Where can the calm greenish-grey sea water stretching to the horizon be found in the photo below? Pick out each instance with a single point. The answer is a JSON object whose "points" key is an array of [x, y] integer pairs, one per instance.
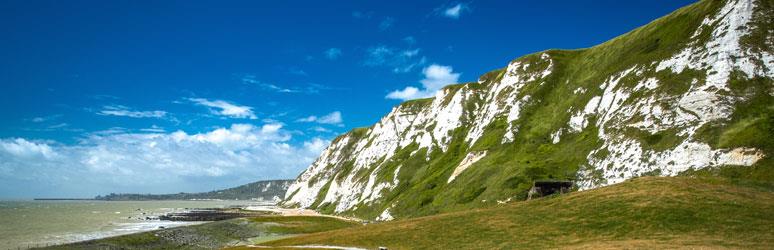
{"points": [[29, 223]]}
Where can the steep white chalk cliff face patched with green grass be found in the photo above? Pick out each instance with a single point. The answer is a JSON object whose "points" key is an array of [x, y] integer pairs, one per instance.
{"points": [[689, 92]]}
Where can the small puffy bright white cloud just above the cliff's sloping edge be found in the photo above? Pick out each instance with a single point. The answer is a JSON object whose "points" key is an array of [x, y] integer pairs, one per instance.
{"points": [[436, 77]]}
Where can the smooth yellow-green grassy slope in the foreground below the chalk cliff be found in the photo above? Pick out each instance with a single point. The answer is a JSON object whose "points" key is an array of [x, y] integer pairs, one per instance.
{"points": [[647, 212]]}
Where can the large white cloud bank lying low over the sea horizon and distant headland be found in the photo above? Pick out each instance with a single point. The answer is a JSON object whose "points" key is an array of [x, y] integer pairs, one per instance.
{"points": [[154, 162]]}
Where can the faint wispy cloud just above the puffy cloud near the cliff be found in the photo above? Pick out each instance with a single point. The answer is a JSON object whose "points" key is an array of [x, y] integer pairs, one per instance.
{"points": [[400, 60]]}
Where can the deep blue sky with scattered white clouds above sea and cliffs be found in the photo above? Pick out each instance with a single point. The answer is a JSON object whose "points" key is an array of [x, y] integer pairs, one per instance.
{"points": [[171, 96]]}
